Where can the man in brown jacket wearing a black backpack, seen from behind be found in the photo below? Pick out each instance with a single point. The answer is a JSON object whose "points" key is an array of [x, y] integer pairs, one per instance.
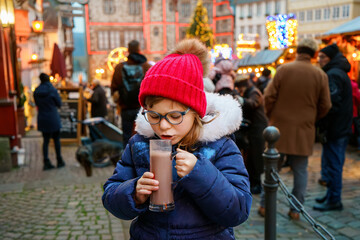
{"points": [[128, 110]]}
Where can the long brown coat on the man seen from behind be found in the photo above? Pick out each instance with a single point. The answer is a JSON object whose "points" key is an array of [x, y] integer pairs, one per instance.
{"points": [[297, 97]]}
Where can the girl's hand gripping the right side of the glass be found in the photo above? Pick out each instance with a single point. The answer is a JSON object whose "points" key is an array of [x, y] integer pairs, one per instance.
{"points": [[185, 162]]}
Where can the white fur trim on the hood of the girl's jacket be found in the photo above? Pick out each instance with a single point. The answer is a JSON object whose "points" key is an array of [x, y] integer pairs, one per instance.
{"points": [[227, 122]]}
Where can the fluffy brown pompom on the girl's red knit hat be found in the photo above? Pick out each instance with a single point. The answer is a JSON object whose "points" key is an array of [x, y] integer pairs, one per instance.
{"points": [[197, 48]]}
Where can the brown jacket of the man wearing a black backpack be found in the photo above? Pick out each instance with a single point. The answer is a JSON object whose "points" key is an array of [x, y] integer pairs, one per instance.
{"points": [[117, 81]]}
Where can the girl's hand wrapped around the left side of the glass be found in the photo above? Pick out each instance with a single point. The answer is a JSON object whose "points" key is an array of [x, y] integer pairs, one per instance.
{"points": [[144, 187]]}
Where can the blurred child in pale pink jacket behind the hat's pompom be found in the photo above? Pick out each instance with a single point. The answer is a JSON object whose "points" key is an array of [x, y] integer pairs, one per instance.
{"points": [[223, 76]]}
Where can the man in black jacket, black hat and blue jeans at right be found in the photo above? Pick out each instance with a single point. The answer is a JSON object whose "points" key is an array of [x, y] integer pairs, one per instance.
{"points": [[336, 126]]}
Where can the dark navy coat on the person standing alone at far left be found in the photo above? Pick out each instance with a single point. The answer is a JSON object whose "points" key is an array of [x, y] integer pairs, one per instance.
{"points": [[47, 99]]}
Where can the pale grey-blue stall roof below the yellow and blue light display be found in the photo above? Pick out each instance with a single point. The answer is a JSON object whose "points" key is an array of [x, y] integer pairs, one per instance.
{"points": [[263, 57]]}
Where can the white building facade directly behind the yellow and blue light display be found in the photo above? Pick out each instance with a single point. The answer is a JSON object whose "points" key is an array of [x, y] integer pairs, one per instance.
{"points": [[250, 17]]}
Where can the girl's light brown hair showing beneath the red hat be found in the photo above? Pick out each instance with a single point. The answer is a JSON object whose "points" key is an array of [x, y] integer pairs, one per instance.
{"points": [[189, 141]]}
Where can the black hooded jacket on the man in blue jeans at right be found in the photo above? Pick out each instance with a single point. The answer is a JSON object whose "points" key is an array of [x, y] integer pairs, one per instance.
{"points": [[338, 121]]}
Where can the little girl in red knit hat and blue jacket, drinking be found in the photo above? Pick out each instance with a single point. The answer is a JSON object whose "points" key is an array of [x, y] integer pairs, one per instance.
{"points": [[212, 192]]}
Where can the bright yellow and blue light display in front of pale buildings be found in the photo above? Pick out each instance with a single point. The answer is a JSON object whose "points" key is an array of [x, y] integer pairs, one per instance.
{"points": [[282, 31]]}
